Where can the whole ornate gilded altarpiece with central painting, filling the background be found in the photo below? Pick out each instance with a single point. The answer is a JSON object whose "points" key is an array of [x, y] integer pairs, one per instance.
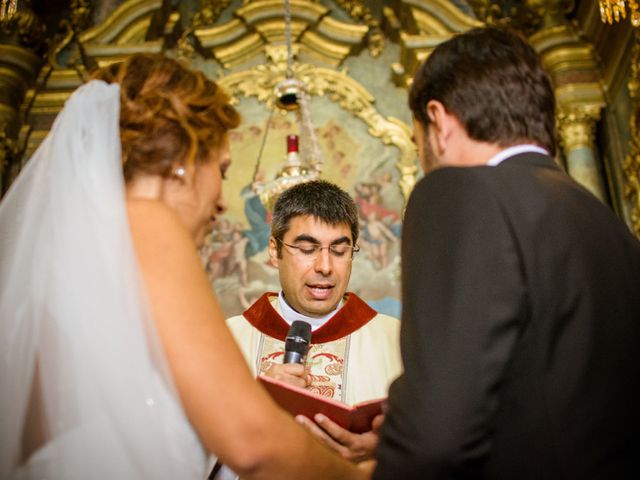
{"points": [[356, 67]]}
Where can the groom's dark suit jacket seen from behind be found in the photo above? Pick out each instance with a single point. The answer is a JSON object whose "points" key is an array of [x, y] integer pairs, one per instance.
{"points": [[520, 331]]}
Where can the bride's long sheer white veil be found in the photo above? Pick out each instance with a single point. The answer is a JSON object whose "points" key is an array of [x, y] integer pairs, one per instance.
{"points": [[84, 390]]}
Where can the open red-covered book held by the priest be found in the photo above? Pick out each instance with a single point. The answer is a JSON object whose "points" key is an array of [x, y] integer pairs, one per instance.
{"points": [[298, 401]]}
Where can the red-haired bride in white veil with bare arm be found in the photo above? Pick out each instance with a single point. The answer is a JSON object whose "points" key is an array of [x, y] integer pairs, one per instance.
{"points": [[115, 361]]}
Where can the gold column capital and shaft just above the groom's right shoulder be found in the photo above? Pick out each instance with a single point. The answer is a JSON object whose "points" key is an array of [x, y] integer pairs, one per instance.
{"points": [[576, 128]]}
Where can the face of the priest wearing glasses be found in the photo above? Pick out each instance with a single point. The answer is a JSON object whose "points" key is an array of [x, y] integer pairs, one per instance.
{"points": [[313, 276]]}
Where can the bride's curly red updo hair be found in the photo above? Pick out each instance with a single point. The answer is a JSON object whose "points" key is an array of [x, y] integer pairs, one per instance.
{"points": [[169, 114]]}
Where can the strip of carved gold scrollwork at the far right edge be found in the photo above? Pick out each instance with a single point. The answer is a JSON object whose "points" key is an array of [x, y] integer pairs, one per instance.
{"points": [[631, 164]]}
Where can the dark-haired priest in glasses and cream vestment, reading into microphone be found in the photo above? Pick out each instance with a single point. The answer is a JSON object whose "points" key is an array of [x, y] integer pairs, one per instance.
{"points": [[355, 351]]}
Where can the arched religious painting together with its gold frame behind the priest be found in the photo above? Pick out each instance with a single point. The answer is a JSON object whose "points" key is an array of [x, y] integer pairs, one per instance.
{"points": [[369, 155]]}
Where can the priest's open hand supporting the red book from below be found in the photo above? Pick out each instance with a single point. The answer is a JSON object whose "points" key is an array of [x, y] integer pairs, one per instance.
{"points": [[352, 446]]}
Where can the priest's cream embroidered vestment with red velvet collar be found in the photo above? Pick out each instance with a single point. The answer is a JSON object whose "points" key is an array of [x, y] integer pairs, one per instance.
{"points": [[358, 362]]}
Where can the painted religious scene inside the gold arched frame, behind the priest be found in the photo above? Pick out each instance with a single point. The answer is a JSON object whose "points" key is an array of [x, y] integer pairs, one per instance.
{"points": [[236, 254]]}
